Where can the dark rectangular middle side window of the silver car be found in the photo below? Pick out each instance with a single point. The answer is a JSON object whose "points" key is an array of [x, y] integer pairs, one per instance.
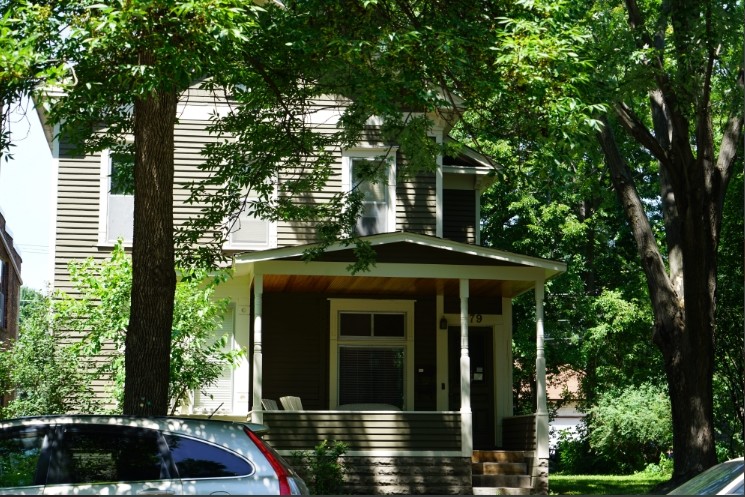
{"points": [[97, 454]]}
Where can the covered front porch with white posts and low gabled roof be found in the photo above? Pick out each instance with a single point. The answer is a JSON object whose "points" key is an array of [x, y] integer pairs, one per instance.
{"points": [[445, 352]]}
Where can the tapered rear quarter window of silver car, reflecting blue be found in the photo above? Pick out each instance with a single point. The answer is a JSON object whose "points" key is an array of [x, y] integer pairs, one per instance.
{"points": [[195, 459]]}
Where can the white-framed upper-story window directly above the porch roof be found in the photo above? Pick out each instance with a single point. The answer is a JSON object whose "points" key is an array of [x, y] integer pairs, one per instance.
{"points": [[372, 172]]}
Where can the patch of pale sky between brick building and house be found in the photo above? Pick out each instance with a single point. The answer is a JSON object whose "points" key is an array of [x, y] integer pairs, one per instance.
{"points": [[26, 197]]}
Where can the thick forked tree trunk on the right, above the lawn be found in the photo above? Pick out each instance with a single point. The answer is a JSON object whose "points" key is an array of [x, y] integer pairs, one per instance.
{"points": [[684, 307]]}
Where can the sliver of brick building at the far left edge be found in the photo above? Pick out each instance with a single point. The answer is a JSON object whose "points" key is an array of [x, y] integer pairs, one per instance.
{"points": [[10, 287]]}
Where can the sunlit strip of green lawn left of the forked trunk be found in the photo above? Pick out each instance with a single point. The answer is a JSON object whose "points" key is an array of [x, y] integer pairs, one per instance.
{"points": [[638, 484]]}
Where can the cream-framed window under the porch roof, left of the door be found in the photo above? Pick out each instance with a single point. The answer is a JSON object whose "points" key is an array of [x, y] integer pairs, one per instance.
{"points": [[372, 352]]}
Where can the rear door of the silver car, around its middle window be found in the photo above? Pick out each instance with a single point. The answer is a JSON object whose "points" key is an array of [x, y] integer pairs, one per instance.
{"points": [[109, 459]]}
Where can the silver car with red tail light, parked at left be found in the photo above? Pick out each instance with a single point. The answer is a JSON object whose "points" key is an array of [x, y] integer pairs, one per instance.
{"points": [[117, 455]]}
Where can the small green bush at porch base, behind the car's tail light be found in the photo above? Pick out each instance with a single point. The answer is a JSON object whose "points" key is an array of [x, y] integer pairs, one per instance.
{"points": [[322, 469]]}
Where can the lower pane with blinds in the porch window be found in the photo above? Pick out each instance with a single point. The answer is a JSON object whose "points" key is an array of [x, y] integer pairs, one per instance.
{"points": [[371, 375]]}
